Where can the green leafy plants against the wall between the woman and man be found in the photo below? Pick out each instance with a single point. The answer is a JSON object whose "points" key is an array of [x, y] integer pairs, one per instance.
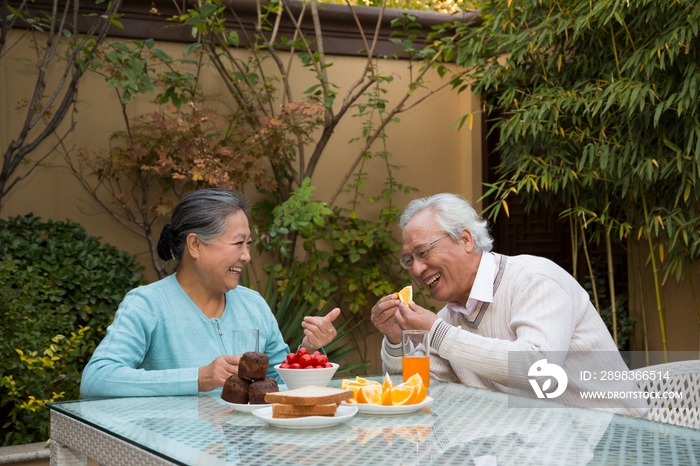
{"points": [[340, 259]]}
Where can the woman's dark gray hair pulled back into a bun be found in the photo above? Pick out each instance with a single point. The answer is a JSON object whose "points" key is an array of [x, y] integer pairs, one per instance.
{"points": [[204, 213]]}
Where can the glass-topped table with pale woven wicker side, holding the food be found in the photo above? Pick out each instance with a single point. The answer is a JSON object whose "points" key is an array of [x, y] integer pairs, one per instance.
{"points": [[463, 426]]}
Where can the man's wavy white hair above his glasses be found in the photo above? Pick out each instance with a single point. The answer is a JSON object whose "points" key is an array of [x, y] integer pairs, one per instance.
{"points": [[452, 213]]}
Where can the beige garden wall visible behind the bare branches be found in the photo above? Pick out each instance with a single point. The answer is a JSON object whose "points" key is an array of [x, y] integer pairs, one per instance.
{"points": [[434, 157]]}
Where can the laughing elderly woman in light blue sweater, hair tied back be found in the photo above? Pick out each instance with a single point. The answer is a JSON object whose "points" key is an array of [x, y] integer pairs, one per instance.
{"points": [[175, 336]]}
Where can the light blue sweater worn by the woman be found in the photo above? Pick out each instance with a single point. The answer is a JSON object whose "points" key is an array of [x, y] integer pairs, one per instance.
{"points": [[159, 339]]}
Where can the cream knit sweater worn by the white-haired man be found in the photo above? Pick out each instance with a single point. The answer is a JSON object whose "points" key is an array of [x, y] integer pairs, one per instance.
{"points": [[539, 311]]}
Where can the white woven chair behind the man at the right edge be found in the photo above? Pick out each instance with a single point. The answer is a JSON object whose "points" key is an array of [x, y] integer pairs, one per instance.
{"points": [[684, 376]]}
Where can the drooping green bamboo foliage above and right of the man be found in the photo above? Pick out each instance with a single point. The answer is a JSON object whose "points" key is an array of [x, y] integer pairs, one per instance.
{"points": [[599, 111]]}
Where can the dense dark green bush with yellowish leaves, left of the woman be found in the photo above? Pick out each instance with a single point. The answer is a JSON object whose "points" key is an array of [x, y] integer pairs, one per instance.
{"points": [[59, 290]]}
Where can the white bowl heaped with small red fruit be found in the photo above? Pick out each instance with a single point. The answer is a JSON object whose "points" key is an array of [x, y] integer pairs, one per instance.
{"points": [[303, 368]]}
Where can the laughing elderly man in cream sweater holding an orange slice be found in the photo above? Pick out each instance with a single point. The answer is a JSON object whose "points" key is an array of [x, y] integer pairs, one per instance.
{"points": [[499, 308]]}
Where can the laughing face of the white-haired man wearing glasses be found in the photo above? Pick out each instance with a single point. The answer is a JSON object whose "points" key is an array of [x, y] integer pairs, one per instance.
{"points": [[450, 267]]}
